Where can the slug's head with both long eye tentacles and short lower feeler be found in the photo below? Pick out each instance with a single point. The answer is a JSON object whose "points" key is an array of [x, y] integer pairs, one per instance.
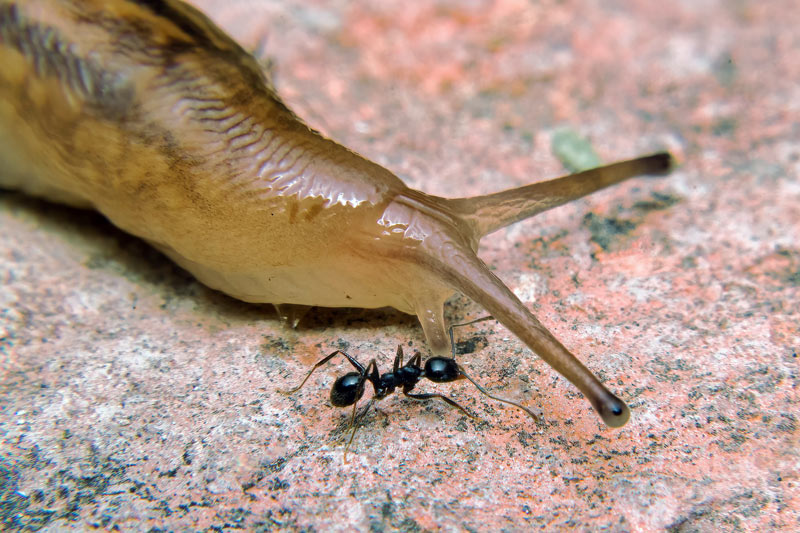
{"points": [[441, 237]]}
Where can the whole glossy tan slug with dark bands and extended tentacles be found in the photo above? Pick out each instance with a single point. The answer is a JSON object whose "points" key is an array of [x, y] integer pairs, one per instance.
{"points": [[147, 112]]}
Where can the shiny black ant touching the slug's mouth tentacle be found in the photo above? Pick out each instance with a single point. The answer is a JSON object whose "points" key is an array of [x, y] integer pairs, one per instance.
{"points": [[348, 389]]}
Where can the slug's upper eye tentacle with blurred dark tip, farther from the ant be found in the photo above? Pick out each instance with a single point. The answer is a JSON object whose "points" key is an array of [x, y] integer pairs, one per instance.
{"points": [[494, 211]]}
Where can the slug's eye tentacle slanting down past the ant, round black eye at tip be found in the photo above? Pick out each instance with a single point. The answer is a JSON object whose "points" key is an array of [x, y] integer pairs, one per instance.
{"points": [[468, 274]]}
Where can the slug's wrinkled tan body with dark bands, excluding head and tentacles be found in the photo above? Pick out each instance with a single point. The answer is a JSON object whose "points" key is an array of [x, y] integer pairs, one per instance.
{"points": [[156, 119]]}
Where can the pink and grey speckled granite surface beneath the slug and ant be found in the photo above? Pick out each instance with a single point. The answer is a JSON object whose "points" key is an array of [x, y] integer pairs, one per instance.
{"points": [[132, 397]]}
